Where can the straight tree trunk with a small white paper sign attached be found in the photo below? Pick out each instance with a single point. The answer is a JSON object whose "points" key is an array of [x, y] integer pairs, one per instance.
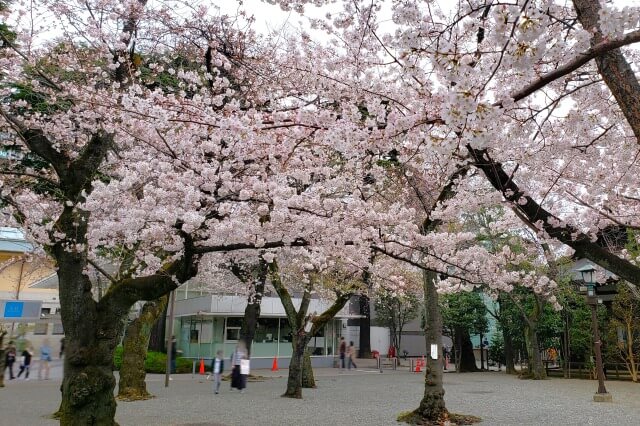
{"points": [[432, 407]]}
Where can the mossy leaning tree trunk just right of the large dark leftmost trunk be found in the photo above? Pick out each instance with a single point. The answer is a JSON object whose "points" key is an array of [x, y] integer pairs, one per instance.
{"points": [[132, 385]]}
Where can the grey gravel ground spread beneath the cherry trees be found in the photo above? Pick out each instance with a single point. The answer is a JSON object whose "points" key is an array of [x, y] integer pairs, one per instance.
{"points": [[356, 398]]}
